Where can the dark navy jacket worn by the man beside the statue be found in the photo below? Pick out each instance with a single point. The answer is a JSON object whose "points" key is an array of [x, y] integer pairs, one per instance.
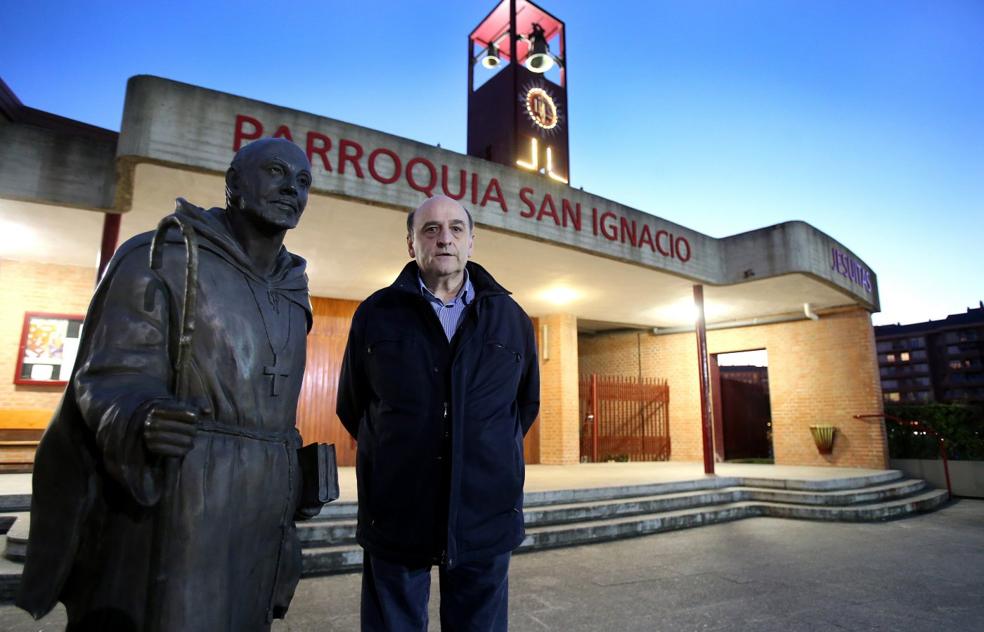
{"points": [[439, 424]]}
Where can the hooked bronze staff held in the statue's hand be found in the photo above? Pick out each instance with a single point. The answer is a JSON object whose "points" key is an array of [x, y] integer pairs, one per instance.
{"points": [[158, 562]]}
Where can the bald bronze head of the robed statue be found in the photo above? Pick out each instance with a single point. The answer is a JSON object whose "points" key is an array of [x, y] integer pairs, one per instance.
{"points": [[268, 183]]}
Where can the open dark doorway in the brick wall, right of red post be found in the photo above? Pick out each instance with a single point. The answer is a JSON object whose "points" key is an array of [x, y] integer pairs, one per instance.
{"points": [[742, 406]]}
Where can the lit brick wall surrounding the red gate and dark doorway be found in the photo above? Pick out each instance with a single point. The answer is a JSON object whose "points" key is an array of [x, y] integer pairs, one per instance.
{"points": [[820, 372]]}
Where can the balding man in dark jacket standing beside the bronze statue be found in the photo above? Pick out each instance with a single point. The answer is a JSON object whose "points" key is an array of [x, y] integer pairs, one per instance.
{"points": [[439, 385]]}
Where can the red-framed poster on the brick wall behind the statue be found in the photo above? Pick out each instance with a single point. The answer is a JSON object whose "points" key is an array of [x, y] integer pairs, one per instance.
{"points": [[49, 344]]}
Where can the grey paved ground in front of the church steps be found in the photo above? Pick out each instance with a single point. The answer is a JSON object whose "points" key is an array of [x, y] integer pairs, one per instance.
{"points": [[924, 573]]}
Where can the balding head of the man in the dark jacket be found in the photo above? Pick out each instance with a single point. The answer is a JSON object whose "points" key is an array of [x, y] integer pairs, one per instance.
{"points": [[441, 240]]}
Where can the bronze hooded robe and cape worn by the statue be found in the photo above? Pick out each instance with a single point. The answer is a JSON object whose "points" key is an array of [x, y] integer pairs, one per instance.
{"points": [[232, 556]]}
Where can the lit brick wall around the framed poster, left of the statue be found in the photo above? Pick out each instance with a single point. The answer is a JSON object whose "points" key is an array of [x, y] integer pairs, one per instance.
{"points": [[34, 287]]}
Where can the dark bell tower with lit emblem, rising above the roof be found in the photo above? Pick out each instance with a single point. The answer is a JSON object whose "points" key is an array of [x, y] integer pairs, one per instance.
{"points": [[517, 90]]}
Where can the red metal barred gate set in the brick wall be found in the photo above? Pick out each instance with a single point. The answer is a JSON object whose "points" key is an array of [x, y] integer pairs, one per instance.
{"points": [[624, 419]]}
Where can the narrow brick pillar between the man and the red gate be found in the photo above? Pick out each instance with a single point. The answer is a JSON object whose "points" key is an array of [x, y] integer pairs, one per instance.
{"points": [[559, 441]]}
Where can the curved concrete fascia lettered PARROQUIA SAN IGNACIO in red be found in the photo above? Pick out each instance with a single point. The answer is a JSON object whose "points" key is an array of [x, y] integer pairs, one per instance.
{"points": [[179, 124]]}
